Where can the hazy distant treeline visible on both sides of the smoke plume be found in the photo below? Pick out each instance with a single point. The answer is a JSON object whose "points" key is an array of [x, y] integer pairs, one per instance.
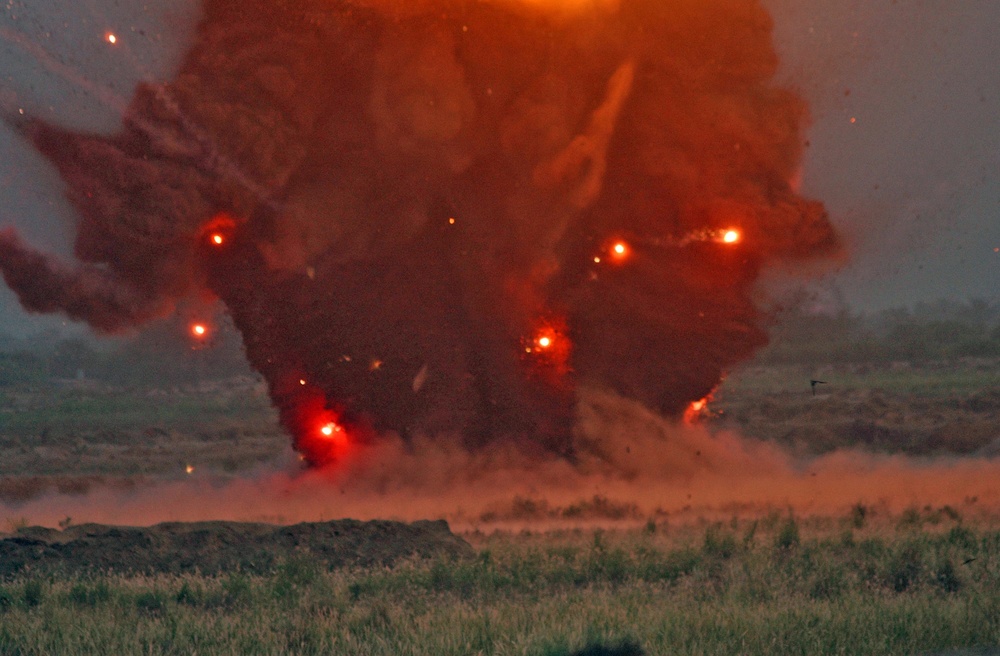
{"points": [[167, 353]]}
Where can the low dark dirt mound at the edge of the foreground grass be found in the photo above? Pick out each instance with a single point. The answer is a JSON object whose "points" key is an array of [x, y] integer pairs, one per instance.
{"points": [[213, 547]]}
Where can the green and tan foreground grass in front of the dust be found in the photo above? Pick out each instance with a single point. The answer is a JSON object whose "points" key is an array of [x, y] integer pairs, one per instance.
{"points": [[921, 583]]}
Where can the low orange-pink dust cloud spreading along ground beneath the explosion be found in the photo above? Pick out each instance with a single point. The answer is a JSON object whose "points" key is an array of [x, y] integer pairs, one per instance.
{"points": [[634, 466]]}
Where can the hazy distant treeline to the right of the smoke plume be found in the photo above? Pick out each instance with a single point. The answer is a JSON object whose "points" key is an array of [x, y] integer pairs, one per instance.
{"points": [[940, 330]]}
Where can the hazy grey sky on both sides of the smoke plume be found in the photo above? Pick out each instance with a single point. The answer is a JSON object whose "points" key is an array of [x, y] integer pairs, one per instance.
{"points": [[905, 143]]}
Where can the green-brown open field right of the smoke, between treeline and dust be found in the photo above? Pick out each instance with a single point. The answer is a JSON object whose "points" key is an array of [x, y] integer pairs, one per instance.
{"points": [[927, 408]]}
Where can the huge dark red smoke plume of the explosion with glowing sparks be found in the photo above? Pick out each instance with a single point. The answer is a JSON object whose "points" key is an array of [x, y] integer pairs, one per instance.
{"points": [[411, 210]]}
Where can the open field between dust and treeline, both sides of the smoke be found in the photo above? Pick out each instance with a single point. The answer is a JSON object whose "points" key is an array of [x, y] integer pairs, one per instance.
{"points": [[70, 436]]}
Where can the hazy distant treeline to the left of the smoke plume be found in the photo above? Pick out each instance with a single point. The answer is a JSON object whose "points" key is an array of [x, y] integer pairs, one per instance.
{"points": [[165, 353]]}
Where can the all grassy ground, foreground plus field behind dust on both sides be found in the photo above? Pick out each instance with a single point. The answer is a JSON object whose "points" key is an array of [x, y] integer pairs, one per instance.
{"points": [[864, 582]]}
